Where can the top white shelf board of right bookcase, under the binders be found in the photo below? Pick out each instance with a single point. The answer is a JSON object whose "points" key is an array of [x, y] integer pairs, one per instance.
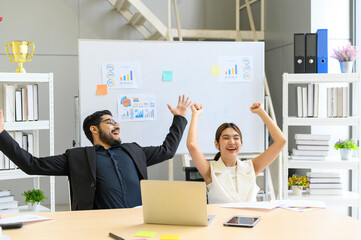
{"points": [[322, 78]]}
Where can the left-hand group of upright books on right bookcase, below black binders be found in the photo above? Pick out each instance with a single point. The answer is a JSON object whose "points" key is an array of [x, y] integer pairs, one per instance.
{"points": [[308, 100]]}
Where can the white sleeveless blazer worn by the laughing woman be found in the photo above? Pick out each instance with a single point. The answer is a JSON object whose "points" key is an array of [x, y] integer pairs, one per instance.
{"points": [[222, 189]]}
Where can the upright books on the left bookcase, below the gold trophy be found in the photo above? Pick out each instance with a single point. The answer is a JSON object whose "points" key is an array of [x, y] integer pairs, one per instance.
{"points": [[21, 103]]}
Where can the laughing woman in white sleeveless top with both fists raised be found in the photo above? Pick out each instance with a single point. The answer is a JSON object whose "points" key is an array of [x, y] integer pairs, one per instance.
{"points": [[228, 179]]}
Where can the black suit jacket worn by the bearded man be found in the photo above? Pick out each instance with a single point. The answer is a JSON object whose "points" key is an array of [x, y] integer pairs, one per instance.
{"points": [[79, 163]]}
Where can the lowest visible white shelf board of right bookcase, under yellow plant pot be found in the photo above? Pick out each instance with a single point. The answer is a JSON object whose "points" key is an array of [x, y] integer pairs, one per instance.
{"points": [[347, 198]]}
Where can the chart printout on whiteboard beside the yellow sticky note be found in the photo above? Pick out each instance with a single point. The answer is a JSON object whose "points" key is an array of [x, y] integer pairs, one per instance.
{"points": [[236, 69]]}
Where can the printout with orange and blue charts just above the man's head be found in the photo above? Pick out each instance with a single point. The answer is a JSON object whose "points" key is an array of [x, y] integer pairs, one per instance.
{"points": [[136, 107]]}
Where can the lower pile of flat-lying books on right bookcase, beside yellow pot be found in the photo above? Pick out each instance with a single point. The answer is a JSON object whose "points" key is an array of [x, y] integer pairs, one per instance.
{"points": [[324, 183]]}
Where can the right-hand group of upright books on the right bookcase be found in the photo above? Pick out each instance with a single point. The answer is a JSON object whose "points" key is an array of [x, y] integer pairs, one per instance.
{"points": [[337, 102]]}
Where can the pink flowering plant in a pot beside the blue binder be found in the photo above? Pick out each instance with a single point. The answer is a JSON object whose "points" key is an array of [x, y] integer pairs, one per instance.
{"points": [[346, 56]]}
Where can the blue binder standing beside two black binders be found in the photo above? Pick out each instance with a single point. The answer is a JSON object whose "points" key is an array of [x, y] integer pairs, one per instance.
{"points": [[322, 51]]}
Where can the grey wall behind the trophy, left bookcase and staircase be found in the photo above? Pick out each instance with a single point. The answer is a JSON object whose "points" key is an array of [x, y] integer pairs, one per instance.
{"points": [[55, 27]]}
